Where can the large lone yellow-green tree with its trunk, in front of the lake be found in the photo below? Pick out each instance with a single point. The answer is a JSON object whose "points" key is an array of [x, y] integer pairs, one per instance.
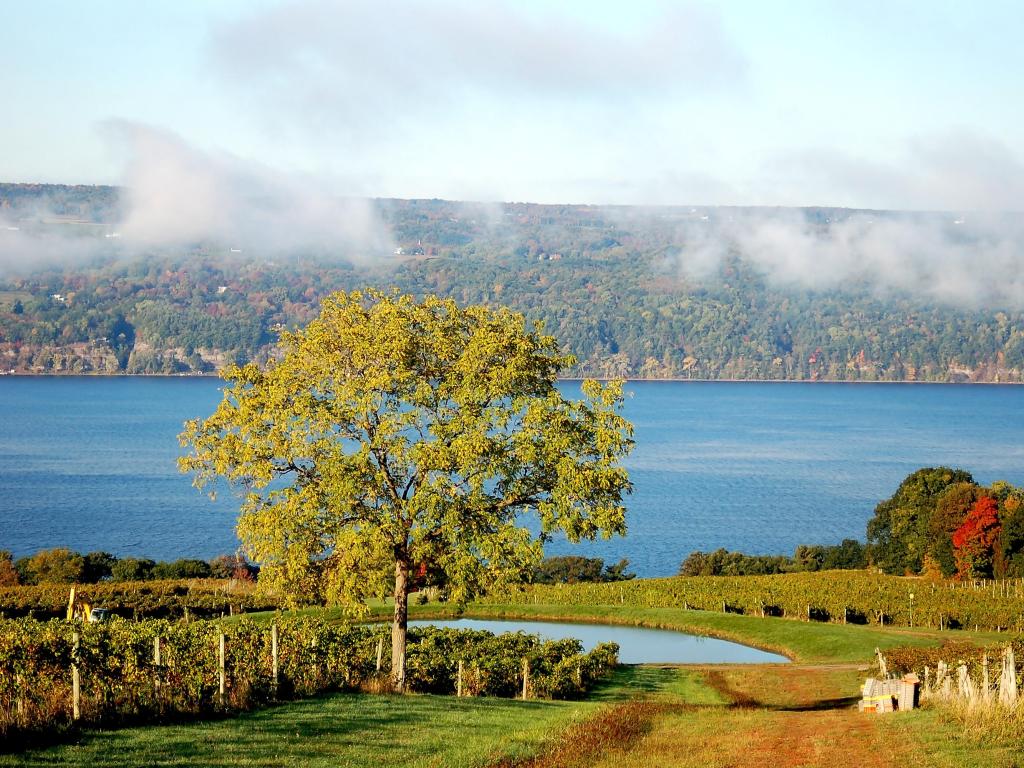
{"points": [[393, 435]]}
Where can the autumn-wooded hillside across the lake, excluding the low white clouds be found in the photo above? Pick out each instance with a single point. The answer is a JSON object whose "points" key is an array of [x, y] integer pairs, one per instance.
{"points": [[634, 293]]}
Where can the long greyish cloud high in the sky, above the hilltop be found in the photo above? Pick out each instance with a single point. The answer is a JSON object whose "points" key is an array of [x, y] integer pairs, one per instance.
{"points": [[361, 69]]}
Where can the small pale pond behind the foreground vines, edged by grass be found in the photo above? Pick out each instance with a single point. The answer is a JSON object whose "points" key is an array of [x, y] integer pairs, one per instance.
{"points": [[637, 645]]}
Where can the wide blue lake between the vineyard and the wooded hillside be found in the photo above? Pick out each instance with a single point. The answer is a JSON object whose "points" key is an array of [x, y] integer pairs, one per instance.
{"points": [[90, 463]]}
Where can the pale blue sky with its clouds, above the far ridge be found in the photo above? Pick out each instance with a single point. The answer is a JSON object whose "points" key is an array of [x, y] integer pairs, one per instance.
{"points": [[871, 105]]}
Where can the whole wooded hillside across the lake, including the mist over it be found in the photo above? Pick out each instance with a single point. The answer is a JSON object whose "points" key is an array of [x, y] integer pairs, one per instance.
{"points": [[94, 280]]}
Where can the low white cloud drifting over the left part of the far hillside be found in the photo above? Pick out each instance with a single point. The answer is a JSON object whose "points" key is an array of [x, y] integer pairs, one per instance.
{"points": [[176, 196]]}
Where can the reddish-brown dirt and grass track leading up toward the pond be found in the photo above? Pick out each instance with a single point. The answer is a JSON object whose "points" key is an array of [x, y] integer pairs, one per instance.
{"points": [[775, 717]]}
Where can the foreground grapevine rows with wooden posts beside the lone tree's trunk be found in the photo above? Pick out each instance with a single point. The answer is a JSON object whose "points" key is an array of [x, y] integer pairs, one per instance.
{"points": [[121, 680]]}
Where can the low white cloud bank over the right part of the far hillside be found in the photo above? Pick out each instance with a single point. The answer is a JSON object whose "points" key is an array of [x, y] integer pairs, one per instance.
{"points": [[972, 261]]}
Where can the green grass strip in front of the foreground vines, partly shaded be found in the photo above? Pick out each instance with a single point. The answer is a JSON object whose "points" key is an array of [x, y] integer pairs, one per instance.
{"points": [[375, 732]]}
